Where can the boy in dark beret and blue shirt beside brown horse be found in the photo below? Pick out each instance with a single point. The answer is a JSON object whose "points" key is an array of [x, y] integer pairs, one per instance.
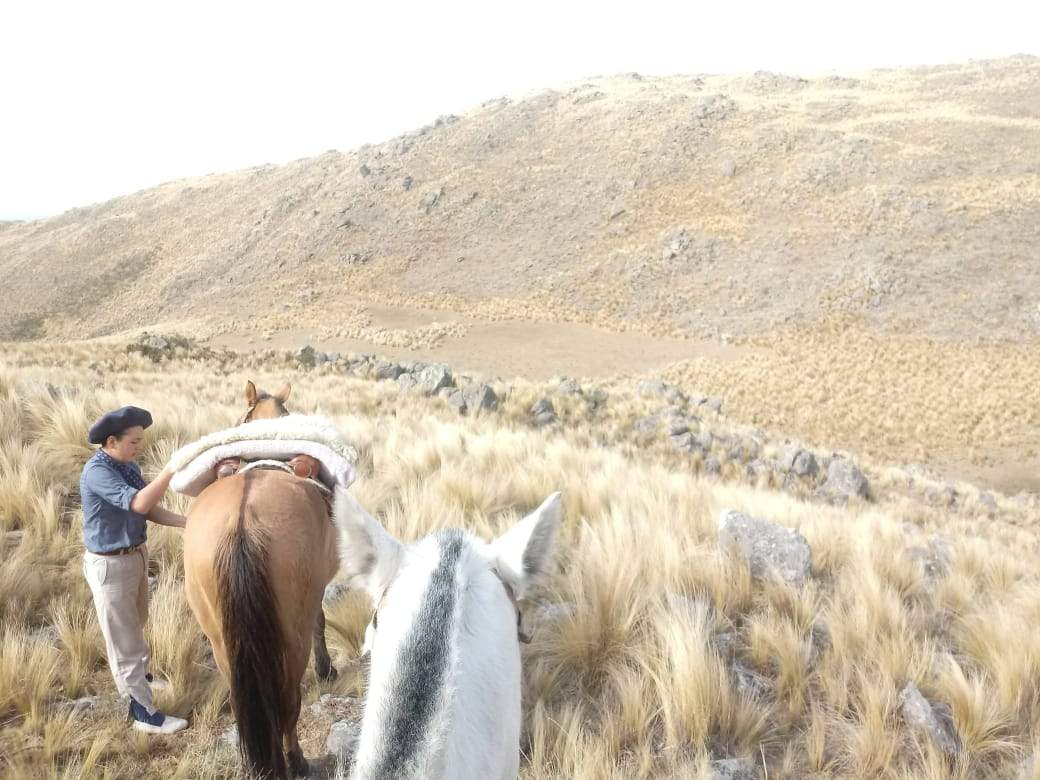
{"points": [[117, 503]]}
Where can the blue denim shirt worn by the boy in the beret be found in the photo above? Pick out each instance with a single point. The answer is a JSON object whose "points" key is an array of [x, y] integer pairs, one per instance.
{"points": [[109, 522]]}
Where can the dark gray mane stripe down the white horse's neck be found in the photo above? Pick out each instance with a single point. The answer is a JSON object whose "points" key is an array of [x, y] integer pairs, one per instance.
{"points": [[422, 685]]}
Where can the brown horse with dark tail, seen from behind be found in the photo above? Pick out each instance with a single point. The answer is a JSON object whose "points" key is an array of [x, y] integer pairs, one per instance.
{"points": [[259, 550]]}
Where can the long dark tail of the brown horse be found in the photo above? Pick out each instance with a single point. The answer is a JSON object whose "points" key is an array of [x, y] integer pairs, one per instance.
{"points": [[255, 648]]}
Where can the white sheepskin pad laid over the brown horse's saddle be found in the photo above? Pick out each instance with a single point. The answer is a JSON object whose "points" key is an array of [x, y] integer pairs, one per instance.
{"points": [[280, 438]]}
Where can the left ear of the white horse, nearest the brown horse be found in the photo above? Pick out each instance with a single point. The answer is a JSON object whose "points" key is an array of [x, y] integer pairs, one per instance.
{"points": [[368, 555]]}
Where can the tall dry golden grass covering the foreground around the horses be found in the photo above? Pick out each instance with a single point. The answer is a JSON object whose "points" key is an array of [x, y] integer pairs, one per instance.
{"points": [[641, 636]]}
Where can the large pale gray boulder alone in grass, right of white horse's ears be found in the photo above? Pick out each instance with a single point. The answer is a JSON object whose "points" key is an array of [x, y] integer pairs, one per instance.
{"points": [[768, 547]]}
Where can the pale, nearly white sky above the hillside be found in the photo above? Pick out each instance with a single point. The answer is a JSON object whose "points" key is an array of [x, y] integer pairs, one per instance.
{"points": [[101, 99]]}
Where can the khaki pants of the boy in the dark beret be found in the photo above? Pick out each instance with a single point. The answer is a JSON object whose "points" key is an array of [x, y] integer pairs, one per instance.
{"points": [[120, 588]]}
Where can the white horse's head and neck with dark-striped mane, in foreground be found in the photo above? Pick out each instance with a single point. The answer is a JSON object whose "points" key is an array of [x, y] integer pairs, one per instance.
{"points": [[445, 687]]}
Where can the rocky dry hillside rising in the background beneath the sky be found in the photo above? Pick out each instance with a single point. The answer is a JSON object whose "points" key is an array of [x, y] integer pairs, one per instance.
{"points": [[703, 205]]}
